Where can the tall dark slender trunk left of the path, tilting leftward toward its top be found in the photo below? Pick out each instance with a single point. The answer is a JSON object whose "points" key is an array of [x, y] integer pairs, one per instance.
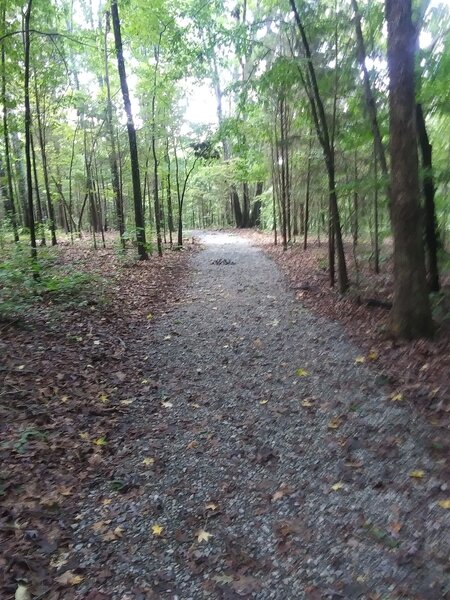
{"points": [[137, 194]]}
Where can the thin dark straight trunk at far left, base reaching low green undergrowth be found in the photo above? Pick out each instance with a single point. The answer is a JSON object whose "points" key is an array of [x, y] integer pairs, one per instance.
{"points": [[29, 172]]}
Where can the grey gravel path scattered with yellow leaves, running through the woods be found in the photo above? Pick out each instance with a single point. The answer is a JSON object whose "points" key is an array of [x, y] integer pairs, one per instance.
{"points": [[268, 464]]}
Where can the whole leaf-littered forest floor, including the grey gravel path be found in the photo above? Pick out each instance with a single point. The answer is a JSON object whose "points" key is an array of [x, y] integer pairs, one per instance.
{"points": [[205, 434]]}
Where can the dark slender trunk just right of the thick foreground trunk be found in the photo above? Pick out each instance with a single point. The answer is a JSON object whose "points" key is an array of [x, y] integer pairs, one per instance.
{"points": [[431, 237]]}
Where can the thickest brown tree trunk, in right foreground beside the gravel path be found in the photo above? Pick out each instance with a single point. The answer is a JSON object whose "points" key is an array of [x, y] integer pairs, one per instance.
{"points": [[411, 314]]}
